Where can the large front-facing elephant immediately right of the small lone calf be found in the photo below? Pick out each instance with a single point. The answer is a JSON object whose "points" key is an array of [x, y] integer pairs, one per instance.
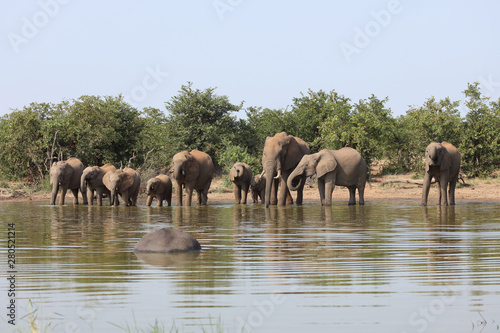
{"points": [[193, 170]]}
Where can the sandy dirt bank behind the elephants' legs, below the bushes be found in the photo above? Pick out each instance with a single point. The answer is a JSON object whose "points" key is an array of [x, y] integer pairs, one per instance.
{"points": [[474, 191]]}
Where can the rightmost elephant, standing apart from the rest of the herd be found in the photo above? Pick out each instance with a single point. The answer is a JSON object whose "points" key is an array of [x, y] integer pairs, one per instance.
{"points": [[442, 161]]}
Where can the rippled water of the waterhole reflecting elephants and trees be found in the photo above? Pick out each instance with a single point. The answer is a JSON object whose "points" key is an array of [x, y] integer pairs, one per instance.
{"points": [[384, 267]]}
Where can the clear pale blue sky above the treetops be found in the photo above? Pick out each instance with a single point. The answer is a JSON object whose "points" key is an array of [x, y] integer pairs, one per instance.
{"points": [[264, 53]]}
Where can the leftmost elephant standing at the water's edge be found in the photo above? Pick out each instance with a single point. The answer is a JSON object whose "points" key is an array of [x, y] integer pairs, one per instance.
{"points": [[66, 175]]}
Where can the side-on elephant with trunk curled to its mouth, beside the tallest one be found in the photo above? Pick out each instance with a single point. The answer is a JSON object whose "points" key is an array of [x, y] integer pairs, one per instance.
{"points": [[343, 167]]}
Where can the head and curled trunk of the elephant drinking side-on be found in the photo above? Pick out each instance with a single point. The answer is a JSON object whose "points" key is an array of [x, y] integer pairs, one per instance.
{"points": [[317, 164]]}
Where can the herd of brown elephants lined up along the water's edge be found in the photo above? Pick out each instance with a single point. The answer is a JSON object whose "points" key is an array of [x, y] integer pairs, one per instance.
{"points": [[286, 162]]}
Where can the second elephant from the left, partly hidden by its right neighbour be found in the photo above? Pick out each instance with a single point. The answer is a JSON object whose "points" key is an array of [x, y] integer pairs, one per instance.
{"points": [[91, 181]]}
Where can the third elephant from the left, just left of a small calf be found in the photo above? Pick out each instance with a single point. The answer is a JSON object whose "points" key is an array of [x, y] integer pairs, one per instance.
{"points": [[124, 182]]}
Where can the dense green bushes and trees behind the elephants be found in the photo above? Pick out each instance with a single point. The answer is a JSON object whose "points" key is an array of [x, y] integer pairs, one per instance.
{"points": [[99, 129]]}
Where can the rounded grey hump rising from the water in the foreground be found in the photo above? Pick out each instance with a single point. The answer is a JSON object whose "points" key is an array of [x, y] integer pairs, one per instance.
{"points": [[167, 240]]}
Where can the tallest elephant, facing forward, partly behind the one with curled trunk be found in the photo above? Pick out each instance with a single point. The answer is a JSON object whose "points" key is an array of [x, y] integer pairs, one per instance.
{"points": [[281, 155]]}
